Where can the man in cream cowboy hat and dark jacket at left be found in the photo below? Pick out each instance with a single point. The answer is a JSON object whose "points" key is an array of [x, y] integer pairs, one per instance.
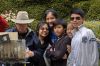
{"points": [[24, 32]]}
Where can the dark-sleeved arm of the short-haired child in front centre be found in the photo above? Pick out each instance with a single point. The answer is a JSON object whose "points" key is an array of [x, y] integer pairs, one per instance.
{"points": [[61, 49]]}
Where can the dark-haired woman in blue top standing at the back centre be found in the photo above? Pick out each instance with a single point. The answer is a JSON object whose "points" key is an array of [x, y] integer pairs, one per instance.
{"points": [[50, 16]]}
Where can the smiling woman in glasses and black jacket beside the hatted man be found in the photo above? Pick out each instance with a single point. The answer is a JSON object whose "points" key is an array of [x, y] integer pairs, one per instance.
{"points": [[41, 42]]}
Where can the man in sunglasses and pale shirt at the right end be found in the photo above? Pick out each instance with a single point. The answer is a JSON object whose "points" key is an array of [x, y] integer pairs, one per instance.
{"points": [[84, 47]]}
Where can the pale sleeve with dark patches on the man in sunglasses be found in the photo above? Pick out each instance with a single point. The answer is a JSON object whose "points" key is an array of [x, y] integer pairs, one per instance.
{"points": [[88, 55]]}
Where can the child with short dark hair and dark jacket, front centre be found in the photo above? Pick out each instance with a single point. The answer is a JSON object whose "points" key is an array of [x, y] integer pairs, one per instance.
{"points": [[58, 50]]}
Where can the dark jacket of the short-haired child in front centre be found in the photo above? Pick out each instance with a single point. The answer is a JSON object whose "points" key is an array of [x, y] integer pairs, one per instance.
{"points": [[59, 51]]}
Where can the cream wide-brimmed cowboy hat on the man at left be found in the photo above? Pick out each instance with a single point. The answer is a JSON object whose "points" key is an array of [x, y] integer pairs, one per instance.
{"points": [[22, 18]]}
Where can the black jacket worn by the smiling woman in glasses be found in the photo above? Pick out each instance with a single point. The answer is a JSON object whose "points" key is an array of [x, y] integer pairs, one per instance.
{"points": [[38, 50]]}
